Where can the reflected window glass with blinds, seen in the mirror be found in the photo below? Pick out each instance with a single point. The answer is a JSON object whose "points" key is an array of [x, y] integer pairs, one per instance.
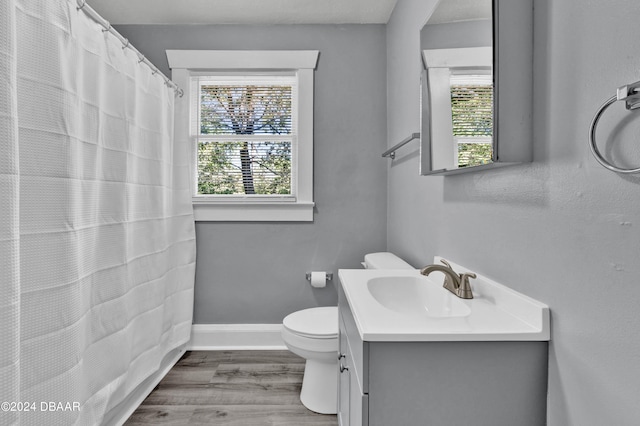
{"points": [[472, 118]]}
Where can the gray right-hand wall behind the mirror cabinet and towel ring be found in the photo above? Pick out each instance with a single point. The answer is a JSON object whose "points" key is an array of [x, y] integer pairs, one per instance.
{"points": [[562, 229]]}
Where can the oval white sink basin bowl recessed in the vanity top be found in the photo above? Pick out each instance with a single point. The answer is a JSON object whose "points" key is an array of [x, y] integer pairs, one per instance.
{"points": [[416, 296]]}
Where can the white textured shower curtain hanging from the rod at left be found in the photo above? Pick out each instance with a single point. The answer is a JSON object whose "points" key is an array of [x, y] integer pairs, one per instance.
{"points": [[97, 244]]}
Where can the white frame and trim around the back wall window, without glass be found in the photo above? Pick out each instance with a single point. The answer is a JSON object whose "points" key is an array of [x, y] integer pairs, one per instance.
{"points": [[186, 64]]}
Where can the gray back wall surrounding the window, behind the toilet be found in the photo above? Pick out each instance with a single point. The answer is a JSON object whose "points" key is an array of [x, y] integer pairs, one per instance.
{"points": [[255, 272]]}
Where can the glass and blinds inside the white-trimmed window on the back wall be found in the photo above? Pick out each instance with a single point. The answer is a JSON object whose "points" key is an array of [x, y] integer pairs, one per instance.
{"points": [[260, 161]]}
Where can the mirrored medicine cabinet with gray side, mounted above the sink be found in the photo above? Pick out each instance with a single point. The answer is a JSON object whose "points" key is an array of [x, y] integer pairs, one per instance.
{"points": [[476, 88]]}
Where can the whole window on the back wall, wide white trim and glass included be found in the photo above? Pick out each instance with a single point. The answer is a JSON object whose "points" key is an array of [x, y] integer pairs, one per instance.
{"points": [[248, 117]]}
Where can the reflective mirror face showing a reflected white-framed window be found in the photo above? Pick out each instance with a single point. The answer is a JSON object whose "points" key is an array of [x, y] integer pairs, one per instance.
{"points": [[456, 44]]}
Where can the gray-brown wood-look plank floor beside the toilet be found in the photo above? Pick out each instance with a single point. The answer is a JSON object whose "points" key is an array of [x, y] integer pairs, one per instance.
{"points": [[239, 388]]}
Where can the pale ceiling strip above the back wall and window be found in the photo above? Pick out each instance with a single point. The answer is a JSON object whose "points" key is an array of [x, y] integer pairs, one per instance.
{"points": [[244, 11]]}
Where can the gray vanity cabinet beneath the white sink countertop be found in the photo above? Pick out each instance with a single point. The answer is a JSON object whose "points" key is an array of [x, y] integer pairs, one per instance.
{"points": [[439, 383]]}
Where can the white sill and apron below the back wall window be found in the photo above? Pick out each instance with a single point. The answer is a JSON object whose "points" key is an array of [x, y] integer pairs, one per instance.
{"points": [[253, 212]]}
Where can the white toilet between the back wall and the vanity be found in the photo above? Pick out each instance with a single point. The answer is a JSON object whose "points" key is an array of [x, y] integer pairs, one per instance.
{"points": [[313, 334]]}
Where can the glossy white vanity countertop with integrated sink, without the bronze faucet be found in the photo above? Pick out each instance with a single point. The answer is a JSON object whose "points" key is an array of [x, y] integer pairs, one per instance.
{"points": [[401, 305]]}
